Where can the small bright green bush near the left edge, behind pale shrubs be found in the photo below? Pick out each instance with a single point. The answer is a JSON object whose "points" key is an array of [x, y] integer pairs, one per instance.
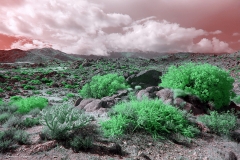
{"points": [[27, 104]]}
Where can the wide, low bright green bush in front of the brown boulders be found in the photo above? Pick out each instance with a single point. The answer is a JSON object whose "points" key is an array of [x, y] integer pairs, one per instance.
{"points": [[152, 116]]}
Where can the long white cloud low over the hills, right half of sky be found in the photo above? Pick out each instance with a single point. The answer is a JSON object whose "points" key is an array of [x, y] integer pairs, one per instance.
{"points": [[163, 36]]}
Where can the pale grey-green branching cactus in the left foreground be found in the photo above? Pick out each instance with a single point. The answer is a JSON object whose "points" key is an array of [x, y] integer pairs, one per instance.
{"points": [[59, 121]]}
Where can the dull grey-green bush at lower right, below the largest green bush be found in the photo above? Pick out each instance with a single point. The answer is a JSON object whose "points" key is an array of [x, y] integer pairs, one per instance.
{"points": [[221, 124]]}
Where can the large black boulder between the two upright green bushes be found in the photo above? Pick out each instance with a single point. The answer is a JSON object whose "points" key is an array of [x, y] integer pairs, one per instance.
{"points": [[145, 78]]}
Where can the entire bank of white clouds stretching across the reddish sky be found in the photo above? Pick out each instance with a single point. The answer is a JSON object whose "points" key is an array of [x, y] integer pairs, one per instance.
{"points": [[80, 27]]}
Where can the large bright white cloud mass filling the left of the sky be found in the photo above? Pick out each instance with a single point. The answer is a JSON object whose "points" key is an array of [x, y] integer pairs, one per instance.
{"points": [[68, 26]]}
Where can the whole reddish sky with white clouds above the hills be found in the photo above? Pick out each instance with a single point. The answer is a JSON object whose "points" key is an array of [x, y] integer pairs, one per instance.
{"points": [[98, 27]]}
